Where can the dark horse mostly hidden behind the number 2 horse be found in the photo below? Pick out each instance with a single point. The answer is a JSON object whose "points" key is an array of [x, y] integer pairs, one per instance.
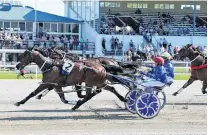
{"points": [[110, 65]]}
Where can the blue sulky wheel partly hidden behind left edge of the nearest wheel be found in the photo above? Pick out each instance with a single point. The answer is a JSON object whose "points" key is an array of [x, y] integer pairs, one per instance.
{"points": [[131, 98]]}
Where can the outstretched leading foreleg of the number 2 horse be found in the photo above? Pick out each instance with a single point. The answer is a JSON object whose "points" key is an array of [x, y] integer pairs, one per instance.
{"points": [[32, 94]]}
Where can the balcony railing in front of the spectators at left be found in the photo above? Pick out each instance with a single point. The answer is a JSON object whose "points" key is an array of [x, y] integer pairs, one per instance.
{"points": [[76, 46]]}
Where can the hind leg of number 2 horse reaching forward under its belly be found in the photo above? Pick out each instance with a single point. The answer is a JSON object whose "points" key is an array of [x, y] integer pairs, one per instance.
{"points": [[88, 96]]}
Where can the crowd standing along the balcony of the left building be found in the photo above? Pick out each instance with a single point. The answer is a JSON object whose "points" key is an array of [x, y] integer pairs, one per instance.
{"points": [[20, 41]]}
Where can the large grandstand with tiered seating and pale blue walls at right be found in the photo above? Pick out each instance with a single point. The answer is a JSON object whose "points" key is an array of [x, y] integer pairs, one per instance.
{"points": [[143, 22]]}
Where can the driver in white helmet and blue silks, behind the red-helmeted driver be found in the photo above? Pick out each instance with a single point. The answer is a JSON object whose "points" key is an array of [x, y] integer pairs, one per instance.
{"points": [[168, 65]]}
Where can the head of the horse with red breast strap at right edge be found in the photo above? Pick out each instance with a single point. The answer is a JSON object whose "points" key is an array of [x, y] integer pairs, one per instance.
{"points": [[187, 51]]}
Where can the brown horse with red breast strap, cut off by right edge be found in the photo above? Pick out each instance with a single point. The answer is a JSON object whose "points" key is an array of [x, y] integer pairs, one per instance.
{"points": [[198, 67]]}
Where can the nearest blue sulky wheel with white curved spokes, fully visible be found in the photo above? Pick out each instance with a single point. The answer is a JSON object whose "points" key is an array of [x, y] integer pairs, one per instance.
{"points": [[147, 105]]}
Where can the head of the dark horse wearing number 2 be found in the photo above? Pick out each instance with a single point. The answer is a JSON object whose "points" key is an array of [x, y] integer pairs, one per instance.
{"points": [[26, 58]]}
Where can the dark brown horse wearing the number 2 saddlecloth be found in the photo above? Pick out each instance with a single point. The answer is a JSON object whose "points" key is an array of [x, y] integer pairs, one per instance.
{"points": [[90, 73]]}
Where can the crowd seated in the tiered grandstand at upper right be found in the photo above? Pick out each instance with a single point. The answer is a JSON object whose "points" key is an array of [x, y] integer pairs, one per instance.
{"points": [[154, 27]]}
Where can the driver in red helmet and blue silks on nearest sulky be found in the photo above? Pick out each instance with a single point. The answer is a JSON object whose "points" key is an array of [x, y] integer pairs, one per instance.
{"points": [[158, 75]]}
